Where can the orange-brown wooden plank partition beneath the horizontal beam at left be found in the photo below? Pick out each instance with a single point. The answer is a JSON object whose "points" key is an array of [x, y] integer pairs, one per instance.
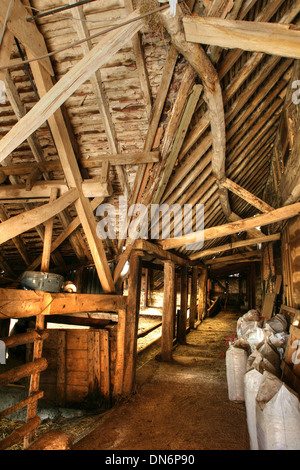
{"points": [[80, 366]]}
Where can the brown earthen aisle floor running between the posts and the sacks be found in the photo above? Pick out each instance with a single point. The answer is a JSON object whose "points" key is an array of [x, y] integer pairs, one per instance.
{"points": [[182, 405]]}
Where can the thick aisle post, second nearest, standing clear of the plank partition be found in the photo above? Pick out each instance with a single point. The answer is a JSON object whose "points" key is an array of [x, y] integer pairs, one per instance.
{"points": [[168, 311]]}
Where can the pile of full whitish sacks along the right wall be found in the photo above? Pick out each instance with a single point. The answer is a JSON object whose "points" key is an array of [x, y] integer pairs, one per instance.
{"points": [[253, 376]]}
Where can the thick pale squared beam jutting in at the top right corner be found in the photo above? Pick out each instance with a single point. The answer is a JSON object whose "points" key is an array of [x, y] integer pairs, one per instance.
{"points": [[270, 38]]}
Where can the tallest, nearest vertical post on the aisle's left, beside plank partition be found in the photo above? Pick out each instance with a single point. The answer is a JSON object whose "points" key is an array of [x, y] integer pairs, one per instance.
{"points": [[132, 320]]}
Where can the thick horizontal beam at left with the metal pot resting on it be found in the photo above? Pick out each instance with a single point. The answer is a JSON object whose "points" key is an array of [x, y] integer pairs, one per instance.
{"points": [[16, 303]]}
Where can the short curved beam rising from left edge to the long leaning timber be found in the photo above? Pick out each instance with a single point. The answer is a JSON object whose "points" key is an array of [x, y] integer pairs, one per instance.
{"points": [[28, 220]]}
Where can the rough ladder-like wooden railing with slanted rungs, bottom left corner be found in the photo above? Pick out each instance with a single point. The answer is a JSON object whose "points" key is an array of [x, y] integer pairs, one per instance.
{"points": [[29, 369]]}
